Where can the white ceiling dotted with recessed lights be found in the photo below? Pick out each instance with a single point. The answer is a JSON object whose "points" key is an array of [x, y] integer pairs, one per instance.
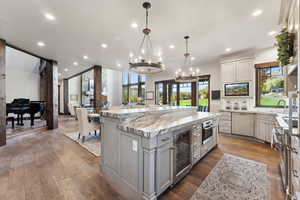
{"points": [[82, 26]]}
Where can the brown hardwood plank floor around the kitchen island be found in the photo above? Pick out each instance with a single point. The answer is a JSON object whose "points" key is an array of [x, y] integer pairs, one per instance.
{"points": [[42, 164]]}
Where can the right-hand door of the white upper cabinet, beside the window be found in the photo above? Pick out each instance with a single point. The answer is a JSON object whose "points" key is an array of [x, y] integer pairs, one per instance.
{"points": [[244, 70]]}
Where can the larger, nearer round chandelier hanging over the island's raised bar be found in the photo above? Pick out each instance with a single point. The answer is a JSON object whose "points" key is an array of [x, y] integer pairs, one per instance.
{"points": [[145, 62]]}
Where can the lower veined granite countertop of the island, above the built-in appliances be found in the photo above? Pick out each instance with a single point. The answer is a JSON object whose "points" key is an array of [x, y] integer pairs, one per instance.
{"points": [[153, 124]]}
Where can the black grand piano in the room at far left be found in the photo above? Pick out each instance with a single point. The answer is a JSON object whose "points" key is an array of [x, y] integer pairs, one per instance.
{"points": [[22, 106]]}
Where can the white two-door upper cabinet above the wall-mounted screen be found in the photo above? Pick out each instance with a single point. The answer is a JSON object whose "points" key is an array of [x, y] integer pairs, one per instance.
{"points": [[237, 71]]}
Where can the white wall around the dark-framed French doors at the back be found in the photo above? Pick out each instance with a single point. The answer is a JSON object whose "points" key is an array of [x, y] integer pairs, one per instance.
{"points": [[212, 68]]}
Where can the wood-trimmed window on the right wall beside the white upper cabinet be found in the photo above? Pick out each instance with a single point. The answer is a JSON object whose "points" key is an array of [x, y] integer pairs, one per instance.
{"points": [[270, 85]]}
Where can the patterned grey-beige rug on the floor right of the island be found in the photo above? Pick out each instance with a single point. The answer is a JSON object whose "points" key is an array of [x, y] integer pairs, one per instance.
{"points": [[235, 178]]}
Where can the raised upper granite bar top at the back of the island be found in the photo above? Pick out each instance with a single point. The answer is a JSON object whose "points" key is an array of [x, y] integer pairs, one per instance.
{"points": [[127, 113]]}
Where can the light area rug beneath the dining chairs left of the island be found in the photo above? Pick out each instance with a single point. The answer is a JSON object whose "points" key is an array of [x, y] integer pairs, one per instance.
{"points": [[92, 143]]}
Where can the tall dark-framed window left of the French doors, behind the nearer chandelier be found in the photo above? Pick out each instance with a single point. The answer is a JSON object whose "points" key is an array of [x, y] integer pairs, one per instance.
{"points": [[133, 88]]}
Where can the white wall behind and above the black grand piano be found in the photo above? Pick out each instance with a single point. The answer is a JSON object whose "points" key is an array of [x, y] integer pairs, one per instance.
{"points": [[22, 79]]}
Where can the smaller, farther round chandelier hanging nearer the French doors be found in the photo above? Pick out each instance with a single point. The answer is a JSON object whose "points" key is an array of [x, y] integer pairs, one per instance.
{"points": [[192, 75]]}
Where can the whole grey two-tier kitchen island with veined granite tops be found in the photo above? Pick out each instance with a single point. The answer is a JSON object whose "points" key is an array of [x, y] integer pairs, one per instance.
{"points": [[146, 150]]}
